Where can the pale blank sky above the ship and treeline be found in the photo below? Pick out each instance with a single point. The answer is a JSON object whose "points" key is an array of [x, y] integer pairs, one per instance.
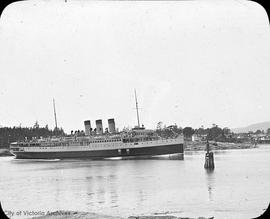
{"points": [[192, 63]]}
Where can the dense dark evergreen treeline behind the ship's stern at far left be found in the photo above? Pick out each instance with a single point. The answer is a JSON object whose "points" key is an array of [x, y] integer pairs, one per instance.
{"points": [[8, 134]]}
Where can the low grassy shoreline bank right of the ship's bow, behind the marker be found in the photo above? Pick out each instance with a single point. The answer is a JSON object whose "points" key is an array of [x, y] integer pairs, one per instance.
{"points": [[201, 146]]}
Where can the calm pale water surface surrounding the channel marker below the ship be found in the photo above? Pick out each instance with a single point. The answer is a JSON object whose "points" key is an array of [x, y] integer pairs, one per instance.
{"points": [[238, 188]]}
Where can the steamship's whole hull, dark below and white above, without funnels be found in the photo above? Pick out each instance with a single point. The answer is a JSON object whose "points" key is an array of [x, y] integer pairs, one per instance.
{"points": [[98, 150]]}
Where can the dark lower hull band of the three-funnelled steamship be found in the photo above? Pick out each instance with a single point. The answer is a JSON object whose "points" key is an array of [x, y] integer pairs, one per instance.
{"points": [[100, 154]]}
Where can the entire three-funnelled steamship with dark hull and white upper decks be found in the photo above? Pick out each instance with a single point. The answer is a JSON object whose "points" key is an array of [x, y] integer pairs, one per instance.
{"points": [[99, 144]]}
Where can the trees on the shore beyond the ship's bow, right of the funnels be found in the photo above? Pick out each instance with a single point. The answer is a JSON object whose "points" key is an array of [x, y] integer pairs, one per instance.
{"points": [[215, 133]]}
